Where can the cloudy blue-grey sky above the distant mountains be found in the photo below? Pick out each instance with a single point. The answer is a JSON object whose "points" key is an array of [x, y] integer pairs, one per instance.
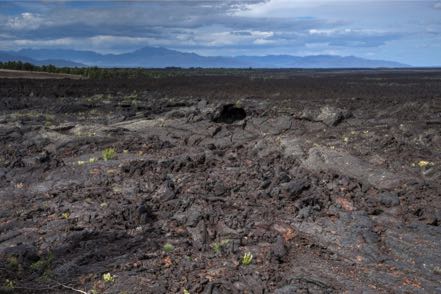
{"points": [[403, 31]]}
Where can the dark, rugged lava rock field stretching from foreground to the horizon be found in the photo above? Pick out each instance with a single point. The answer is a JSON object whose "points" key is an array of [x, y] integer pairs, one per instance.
{"points": [[326, 202]]}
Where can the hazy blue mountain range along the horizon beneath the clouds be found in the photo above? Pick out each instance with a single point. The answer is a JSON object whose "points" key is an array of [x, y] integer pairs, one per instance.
{"points": [[154, 57]]}
